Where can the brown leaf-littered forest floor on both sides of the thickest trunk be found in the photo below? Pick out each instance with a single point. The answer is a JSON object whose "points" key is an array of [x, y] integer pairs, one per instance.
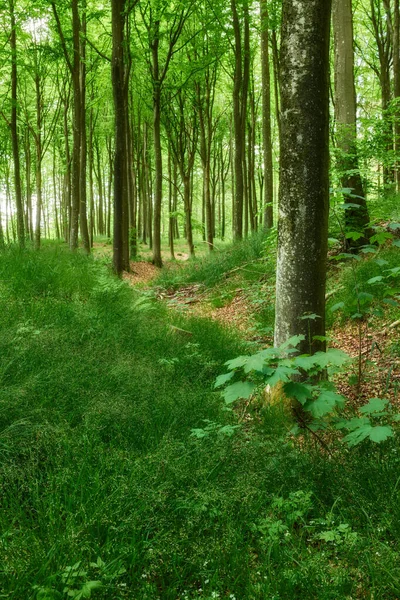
{"points": [[238, 309]]}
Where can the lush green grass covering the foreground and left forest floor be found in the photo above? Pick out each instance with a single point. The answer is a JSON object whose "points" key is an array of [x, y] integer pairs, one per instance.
{"points": [[97, 401]]}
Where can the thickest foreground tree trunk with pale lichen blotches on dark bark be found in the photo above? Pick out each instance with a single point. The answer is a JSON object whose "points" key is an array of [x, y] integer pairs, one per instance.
{"points": [[304, 193]]}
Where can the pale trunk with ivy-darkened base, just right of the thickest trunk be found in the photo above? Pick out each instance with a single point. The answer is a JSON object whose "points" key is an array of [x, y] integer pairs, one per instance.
{"points": [[345, 113]]}
